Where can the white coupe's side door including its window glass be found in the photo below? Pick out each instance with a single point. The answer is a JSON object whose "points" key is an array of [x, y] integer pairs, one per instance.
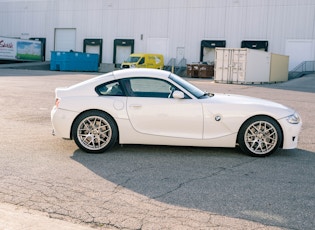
{"points": [[153, 111]]}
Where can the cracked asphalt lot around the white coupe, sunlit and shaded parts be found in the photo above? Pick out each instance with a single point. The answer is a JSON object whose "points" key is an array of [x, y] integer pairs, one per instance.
{"points": [[152, 187]]}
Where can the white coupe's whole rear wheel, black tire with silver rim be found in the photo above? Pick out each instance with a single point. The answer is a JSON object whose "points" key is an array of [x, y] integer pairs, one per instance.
{"points": [[94, 132]]}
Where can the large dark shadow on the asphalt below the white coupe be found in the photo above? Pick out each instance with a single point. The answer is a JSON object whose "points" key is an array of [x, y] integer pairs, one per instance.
{"points": [[274, 190]]}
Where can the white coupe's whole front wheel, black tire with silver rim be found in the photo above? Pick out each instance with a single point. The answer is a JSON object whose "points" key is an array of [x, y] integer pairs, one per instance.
{"points": [[260, 136]]}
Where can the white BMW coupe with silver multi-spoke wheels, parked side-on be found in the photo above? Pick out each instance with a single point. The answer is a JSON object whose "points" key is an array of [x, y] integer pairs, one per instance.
{"points": [[156, 107]]}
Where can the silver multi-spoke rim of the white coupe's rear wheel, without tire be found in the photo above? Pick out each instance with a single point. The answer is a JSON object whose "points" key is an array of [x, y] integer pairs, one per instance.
{"points": [[94, 132]]}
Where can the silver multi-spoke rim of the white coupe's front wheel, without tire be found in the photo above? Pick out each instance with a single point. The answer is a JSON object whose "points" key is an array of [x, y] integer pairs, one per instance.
{"points": [[261, 137]]}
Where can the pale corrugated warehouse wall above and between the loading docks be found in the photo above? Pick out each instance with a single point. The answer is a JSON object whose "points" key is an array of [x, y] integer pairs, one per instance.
{"points": [[171, 24]]}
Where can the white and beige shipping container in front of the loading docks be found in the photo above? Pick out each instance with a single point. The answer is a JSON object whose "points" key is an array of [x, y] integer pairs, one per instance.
{"points": [[245, 66]]}
